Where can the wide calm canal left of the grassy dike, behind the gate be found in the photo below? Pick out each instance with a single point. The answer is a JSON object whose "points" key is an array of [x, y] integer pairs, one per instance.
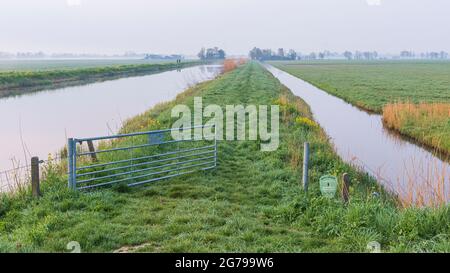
{"points": [[39, 123]]}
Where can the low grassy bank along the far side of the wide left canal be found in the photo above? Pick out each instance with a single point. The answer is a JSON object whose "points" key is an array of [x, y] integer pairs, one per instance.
{"points": [[20, 82]]}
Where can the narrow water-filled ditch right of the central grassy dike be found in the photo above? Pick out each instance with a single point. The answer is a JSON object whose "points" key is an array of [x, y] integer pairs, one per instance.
{"points": [[359, 138]]}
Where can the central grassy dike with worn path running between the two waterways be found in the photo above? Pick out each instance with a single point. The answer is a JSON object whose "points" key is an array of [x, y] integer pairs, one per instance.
{"points": [[251, 202]]}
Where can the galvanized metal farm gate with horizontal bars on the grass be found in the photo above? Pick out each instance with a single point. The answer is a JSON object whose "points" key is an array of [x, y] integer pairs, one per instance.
{"points": [[163, 165]]}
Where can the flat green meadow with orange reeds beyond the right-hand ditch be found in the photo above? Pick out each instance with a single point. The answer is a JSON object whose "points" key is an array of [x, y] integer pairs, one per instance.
{"points": [[410, 95]]}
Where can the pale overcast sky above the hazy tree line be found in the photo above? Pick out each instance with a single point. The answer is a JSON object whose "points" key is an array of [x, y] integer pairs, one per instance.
{"points": [[184, 26]]}
